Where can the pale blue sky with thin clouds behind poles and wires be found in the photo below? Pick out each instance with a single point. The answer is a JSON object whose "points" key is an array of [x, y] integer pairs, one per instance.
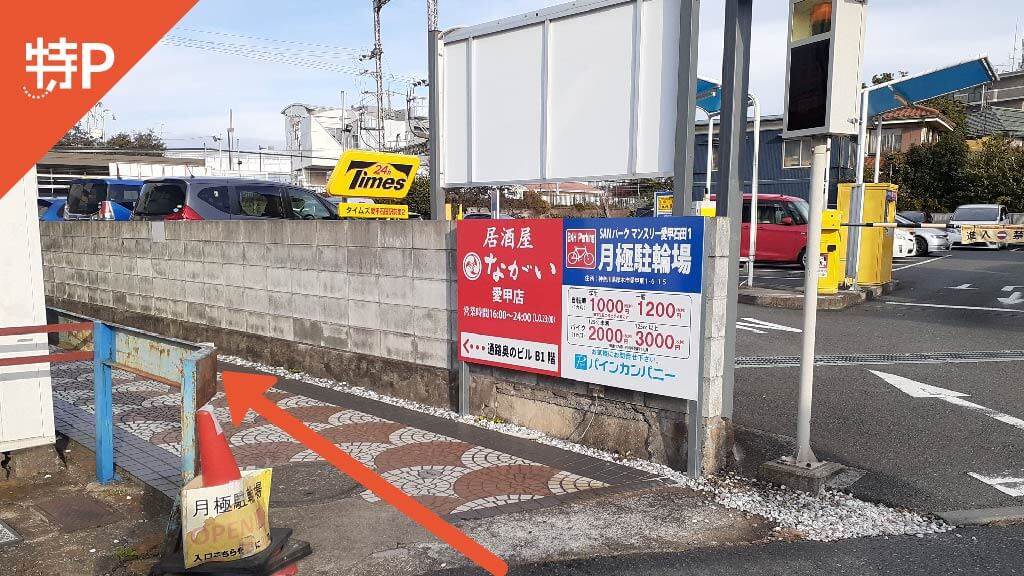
{"points": [[185, 94]]}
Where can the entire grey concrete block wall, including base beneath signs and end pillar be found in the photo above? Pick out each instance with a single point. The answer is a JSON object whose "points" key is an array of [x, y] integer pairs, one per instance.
{"points": [[371, 304]]}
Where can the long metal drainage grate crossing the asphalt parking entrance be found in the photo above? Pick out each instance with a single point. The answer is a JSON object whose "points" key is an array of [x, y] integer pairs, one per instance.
{"points": [[884, 359]]}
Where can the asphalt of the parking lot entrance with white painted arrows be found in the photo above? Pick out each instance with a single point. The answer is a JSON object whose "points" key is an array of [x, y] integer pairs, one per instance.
{"points": [[914, 452]]}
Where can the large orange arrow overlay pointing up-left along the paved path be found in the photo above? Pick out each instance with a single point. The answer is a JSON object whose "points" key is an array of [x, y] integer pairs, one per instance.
{"points": [[245, 392]]}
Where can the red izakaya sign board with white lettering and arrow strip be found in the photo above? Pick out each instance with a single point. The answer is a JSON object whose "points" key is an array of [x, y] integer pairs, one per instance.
{"points": [[510, 280]]}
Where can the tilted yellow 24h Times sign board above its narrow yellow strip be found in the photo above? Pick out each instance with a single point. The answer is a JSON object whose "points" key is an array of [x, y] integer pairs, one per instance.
{"points": [[366, 174]]}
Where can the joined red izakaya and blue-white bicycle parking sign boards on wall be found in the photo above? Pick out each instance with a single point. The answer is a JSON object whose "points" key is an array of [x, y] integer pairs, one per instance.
{"points": [[613, 302]]}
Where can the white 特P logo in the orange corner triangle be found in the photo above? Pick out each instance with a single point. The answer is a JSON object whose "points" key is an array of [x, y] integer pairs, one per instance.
{"points": [[57, 65]]}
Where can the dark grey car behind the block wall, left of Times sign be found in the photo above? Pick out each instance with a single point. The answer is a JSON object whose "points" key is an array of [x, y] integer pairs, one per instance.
{"points": [[228, 199]]}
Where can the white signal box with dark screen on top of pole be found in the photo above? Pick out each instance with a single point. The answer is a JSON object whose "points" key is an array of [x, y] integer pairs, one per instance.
{"points": [[826, 50]]}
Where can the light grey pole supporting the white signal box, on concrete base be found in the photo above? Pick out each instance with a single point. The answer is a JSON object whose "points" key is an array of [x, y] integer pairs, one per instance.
{"points": [[820, 172]]}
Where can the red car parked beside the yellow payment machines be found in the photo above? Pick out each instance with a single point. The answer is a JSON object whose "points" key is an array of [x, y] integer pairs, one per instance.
{"points": [[782, 229]]}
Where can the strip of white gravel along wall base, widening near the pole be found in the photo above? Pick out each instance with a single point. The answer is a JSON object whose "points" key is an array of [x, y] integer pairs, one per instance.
{"points": [[834, 516]]}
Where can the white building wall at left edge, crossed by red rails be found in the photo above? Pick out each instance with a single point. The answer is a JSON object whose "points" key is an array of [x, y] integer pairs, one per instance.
{"points": [[26, 395]]}
